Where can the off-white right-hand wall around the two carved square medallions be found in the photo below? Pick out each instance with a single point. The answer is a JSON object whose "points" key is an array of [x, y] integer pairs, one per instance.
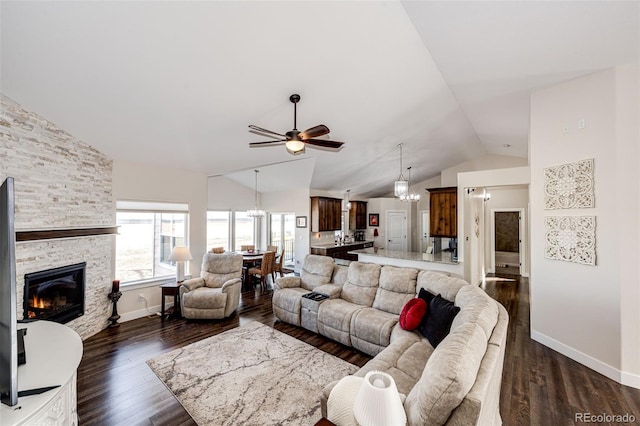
{"points": [[576, 309]]}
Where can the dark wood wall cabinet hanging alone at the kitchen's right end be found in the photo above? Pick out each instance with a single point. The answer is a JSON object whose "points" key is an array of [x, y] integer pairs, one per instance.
{"points": [[443, 212]]}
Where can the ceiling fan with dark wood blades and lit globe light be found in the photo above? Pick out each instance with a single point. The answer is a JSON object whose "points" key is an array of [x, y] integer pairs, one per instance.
{"points": [[295, 140]]}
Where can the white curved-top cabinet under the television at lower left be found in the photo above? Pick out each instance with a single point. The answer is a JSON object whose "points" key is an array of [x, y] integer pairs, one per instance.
{"points": [[53, 353]]}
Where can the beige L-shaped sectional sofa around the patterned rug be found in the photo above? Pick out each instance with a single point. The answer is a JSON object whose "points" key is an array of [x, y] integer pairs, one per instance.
{"points": [[457, 383]]}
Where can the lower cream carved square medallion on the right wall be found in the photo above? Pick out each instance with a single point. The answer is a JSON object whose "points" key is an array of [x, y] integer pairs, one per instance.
{"points": [[570, 239]]}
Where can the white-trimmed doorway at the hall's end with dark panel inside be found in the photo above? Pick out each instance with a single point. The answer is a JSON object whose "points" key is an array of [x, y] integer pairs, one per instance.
{"points": [[507, 241]]}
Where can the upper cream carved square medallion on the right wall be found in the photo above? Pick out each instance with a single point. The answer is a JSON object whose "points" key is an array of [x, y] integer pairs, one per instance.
{"points": [[569, 186]]}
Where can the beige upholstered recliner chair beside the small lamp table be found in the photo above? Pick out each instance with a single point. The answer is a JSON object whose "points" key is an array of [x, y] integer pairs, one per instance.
{"points": [[216, 293]]}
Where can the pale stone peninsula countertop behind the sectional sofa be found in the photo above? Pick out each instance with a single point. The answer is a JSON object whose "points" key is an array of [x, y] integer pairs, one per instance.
{"points": [[437, 262]]}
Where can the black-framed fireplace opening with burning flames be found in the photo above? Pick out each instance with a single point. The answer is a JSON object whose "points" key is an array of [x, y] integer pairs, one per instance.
{"points": [[55, 294]]}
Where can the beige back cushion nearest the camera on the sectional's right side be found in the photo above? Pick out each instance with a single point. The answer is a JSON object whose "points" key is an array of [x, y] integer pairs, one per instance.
{"points": [[448, 376]]}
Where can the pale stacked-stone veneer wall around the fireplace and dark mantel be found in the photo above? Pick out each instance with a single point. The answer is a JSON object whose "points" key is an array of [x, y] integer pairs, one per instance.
{"points": [[60, 182]]}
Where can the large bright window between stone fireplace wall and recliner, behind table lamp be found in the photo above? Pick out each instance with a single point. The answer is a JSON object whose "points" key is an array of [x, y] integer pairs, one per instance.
{"points": [[146, 235]]}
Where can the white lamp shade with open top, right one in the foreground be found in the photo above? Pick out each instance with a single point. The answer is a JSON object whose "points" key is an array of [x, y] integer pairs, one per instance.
{"points": [[378, 401]]}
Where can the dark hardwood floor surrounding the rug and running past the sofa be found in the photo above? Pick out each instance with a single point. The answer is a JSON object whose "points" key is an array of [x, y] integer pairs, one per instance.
{"points": [[540, 386]]}
